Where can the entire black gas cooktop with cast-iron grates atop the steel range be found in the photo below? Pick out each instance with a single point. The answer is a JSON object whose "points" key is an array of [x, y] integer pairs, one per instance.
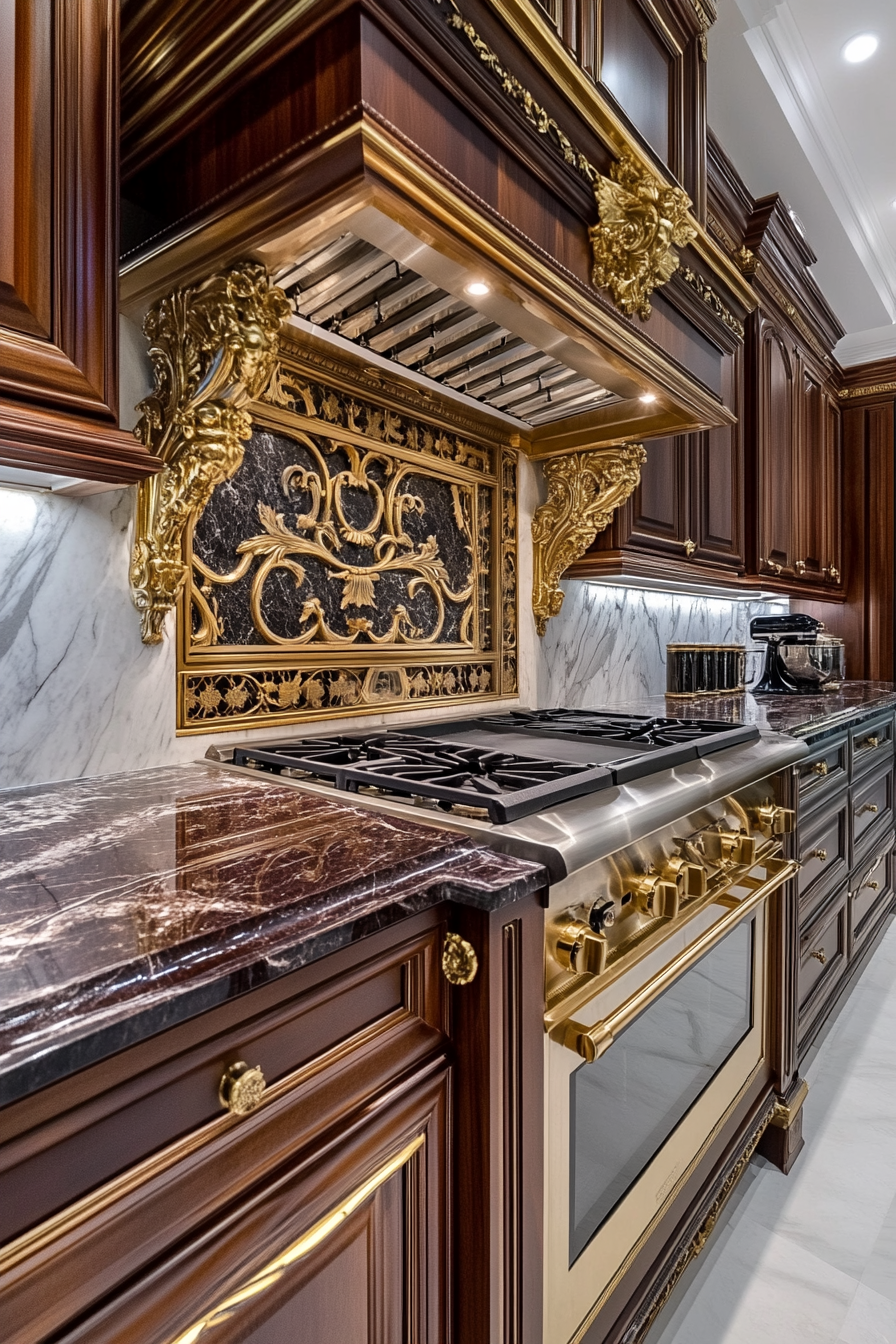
{"points": [[500, 767]]}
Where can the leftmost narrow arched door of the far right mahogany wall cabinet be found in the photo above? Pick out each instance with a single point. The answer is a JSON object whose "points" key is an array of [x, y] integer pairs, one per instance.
{"points": [[776, 454]]}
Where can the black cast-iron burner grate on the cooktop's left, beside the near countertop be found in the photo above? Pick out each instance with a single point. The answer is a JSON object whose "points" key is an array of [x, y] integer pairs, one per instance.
{"points": [[482, 780]]}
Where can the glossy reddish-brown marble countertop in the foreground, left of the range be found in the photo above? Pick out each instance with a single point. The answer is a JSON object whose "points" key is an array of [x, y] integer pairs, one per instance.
{"points": [[136, 901]]}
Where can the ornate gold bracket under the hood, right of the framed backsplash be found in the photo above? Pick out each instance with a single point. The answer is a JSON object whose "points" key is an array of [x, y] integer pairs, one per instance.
{"points": [[584, 493]]}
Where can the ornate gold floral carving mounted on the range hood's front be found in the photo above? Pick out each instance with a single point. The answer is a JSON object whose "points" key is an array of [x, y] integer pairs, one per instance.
{"points": [[641, 224]]}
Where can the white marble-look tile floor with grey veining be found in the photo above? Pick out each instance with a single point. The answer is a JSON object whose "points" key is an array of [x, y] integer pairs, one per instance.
{"points": [[812, 1257]]}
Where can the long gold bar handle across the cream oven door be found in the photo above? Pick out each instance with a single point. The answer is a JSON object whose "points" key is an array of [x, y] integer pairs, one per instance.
{"points": [[593, 1042]]}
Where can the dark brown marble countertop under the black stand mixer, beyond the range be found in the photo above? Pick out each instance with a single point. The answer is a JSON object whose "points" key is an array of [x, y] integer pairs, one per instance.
{"points": [[797, 716]]}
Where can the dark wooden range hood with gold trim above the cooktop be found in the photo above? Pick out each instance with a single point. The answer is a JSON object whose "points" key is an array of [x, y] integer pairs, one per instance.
{"points": [[463, 143]]}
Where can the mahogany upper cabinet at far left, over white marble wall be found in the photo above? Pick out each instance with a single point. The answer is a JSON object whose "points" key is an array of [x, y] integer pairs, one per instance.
{"points": [[58, 243]]}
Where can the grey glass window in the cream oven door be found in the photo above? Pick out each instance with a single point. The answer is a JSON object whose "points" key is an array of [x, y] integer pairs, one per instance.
{"points": [[625, 1105]]}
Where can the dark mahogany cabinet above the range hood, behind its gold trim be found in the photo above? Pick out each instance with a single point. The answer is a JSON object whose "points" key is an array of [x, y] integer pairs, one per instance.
{"points": [[649, 57]]}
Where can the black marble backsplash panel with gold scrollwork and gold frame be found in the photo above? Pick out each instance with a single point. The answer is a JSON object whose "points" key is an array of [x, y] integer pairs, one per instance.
{"points": [[363, 558]]}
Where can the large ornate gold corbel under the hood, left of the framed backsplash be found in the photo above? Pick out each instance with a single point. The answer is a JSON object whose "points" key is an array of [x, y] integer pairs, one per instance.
{"points": [[214, 349]]}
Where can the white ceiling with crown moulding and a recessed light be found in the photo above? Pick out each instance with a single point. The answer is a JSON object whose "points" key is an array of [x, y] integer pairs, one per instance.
{"points": [[799, 119]]}
